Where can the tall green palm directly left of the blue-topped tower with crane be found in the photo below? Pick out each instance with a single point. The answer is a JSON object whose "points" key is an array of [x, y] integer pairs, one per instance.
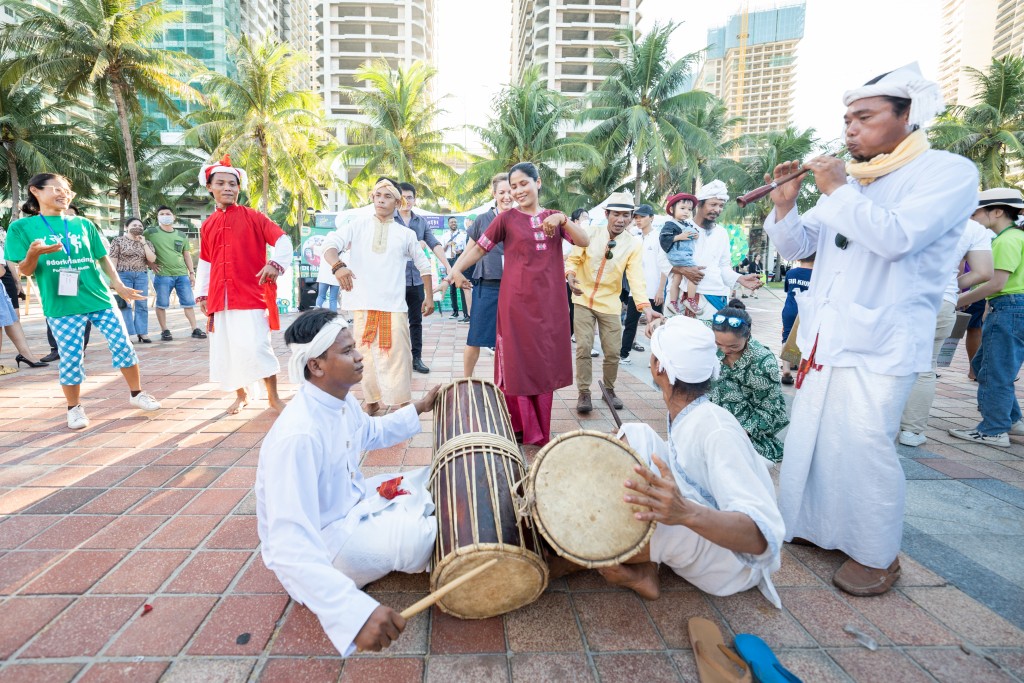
{"points": [[642, 109]]}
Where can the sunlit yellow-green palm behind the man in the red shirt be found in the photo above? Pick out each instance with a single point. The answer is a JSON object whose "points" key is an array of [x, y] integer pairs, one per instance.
{"points": [[257, 117]]}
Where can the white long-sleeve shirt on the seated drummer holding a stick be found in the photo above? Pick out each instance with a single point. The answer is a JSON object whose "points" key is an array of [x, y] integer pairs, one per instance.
{"points": [[308, 482]]}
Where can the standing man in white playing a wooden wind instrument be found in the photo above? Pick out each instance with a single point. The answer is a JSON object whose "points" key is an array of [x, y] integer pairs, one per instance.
{"points": [[885, 238]]}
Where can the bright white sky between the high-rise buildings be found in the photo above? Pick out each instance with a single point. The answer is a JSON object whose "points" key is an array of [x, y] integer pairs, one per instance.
{"points": [[844, 46]]}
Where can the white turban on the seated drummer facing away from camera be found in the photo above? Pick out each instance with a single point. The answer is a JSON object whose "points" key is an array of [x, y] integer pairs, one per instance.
{"points": [[686, 350]]}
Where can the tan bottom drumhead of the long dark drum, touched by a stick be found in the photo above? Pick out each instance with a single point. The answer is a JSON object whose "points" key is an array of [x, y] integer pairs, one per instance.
{"points": [[519, 579]]}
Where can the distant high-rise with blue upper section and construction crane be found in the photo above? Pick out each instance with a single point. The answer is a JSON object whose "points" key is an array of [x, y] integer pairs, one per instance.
{"points": [[752, 66]]}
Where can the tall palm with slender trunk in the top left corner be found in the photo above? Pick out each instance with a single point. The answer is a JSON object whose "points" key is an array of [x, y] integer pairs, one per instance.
{"points": [[103, 48]]}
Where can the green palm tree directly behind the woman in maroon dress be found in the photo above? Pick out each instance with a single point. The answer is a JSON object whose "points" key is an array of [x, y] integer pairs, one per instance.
{"points": [[527, 124]]}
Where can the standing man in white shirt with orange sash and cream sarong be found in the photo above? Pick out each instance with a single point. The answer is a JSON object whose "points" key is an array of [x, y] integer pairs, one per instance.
{"points": [[375, 291]]}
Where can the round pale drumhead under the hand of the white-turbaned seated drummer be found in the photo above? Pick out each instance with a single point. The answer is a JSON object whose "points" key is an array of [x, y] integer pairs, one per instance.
{"points": [[577, 486]]}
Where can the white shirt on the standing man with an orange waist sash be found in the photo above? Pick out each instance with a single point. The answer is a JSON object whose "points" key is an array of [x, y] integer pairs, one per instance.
{"points": [[379, 282]]}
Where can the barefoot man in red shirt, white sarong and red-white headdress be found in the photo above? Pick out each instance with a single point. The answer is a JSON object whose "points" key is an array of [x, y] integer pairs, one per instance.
{"points": [[236, 287]]}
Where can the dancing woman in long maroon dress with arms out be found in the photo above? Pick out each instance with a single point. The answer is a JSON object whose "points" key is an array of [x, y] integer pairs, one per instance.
{"points": [[533, 353]]}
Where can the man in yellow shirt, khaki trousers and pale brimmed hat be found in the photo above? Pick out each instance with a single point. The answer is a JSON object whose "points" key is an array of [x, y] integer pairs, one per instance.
{"points": [[595, 276]]}
